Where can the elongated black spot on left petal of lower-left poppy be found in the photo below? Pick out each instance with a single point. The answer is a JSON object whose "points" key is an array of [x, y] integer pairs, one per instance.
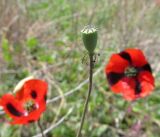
{"points": [[13, 110]]}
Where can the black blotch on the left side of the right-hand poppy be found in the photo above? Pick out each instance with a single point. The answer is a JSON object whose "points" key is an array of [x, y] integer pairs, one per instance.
{"points": [[113, 77]]}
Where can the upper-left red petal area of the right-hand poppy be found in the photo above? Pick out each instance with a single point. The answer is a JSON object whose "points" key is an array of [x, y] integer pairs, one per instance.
{"points": [[116, 64]]}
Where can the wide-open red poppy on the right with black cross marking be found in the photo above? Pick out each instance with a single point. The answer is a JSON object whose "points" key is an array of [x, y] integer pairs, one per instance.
{"points": [[129, 74]]}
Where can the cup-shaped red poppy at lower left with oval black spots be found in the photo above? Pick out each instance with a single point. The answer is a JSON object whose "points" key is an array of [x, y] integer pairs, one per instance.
{"points": [[28, 103]]}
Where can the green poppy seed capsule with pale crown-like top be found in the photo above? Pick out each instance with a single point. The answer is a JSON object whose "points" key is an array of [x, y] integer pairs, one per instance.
{"points": [[89, 36]]}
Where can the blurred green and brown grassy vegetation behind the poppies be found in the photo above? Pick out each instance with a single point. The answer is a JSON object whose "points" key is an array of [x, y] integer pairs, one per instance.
{"points": [[42, 37]]}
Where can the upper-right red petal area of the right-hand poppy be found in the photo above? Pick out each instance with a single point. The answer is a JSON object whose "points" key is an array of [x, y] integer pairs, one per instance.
{"points": [[137, 57]]}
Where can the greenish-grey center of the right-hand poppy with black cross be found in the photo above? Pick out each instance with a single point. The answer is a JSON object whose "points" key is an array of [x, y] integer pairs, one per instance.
{"points": [[130, 71]]}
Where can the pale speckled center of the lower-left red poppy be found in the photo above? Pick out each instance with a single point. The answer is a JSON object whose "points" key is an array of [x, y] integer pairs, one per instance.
{"points": [[30, 106]]}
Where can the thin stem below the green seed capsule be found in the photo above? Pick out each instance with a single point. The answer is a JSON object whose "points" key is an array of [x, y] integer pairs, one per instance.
{"points": [[88, 96]]}
